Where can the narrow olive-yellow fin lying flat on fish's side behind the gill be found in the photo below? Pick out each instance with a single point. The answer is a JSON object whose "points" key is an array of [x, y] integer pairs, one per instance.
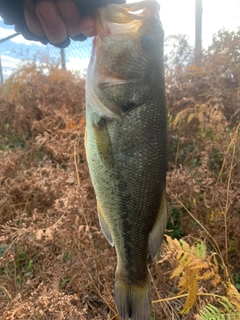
{"points": [[103, 142]]}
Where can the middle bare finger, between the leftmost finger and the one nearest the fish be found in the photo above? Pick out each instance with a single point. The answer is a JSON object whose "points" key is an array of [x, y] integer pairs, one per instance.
{"points": [[51, 21]]}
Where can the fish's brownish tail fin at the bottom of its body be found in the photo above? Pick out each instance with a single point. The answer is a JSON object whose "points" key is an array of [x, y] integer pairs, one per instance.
{"points": [[132, 302]]}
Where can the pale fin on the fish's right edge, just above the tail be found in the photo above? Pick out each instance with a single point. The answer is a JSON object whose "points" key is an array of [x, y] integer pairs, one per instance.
{"points": [[157, 233]]}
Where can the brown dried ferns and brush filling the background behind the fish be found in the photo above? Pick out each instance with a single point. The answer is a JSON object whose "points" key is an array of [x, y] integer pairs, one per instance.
{"points": [[54, 260]]}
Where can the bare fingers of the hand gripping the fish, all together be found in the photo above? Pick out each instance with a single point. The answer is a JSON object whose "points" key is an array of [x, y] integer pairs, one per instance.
{"points": [[56, 19]]}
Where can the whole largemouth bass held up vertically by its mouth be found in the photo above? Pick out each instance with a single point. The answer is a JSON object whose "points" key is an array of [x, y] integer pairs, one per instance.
{"points": [[126, 144]]}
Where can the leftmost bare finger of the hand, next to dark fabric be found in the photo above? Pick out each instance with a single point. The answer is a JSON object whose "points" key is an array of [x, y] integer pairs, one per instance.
{"points": [[31, 18]]}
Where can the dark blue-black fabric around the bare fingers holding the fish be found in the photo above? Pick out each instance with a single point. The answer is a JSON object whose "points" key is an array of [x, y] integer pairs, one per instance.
{"points": [[12, 14]]}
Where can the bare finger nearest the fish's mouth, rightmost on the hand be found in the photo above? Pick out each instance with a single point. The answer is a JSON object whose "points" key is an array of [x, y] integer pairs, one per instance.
{"points": [[72, 18]]}
